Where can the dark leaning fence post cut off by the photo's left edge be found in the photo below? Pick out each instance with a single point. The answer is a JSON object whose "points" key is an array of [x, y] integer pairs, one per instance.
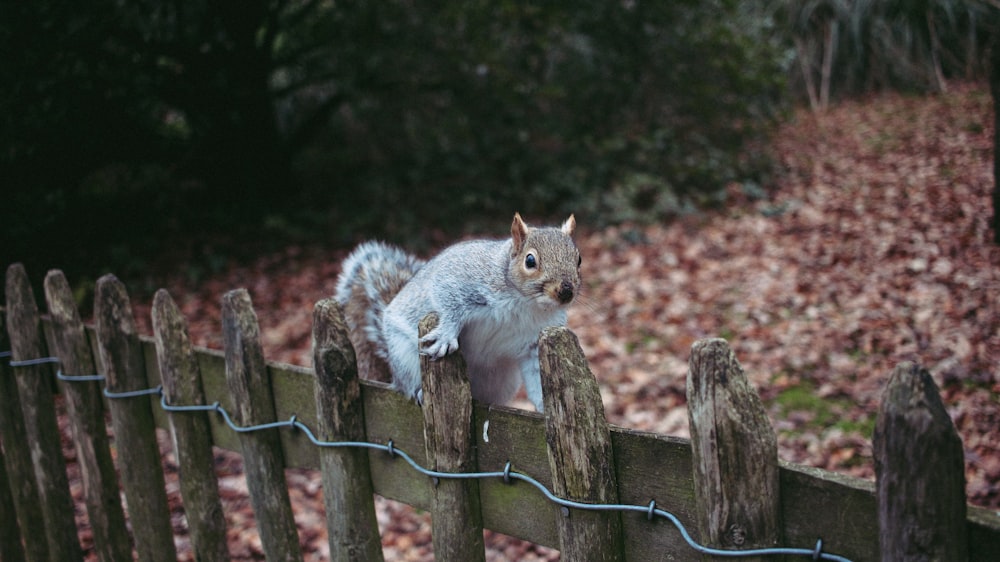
{"points": [[27, 513]]}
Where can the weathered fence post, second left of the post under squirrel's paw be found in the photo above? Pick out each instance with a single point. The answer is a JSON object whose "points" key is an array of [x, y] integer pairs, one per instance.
{"points": [[250, 386]]}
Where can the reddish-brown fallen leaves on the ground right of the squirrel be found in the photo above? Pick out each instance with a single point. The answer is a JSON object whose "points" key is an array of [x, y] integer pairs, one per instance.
{"points": [[873, 248]]}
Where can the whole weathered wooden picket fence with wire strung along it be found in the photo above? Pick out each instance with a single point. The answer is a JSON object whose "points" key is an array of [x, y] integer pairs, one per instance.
{"points": [[726, 484]]}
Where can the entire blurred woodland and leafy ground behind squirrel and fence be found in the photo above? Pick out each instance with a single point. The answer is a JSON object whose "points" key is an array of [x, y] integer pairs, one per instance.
{"points": [[809, 179]]}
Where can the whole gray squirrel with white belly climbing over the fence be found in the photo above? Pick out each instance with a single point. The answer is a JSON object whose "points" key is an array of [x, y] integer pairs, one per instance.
{"points": [[492, 296]]}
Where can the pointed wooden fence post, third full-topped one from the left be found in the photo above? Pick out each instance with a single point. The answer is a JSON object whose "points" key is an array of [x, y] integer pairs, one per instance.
{"points": [[132, 419]]}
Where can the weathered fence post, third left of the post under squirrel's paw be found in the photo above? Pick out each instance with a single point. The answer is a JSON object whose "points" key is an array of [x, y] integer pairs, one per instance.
{"points": [[192, 431]]}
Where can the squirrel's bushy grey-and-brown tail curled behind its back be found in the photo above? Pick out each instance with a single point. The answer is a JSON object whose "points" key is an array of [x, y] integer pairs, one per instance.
{"points": [[370, 278]]}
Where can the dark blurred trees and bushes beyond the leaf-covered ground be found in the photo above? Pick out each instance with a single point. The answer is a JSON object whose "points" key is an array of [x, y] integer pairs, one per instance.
{"points": [[136, 131]]}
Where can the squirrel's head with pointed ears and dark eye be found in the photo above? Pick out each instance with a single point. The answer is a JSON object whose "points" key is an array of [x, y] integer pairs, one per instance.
{"points": [[545, 263]]}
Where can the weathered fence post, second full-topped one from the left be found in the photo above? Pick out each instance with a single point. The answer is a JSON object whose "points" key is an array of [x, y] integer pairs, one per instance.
{"points": [[86, 413]]}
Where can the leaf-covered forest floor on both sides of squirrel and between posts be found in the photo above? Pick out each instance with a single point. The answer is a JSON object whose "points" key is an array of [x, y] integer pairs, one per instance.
{"points": [[871, 247]]}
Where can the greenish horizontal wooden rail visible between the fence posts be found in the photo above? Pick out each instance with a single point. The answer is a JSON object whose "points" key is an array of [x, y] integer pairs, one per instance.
{"points": [[815, 503]]}
